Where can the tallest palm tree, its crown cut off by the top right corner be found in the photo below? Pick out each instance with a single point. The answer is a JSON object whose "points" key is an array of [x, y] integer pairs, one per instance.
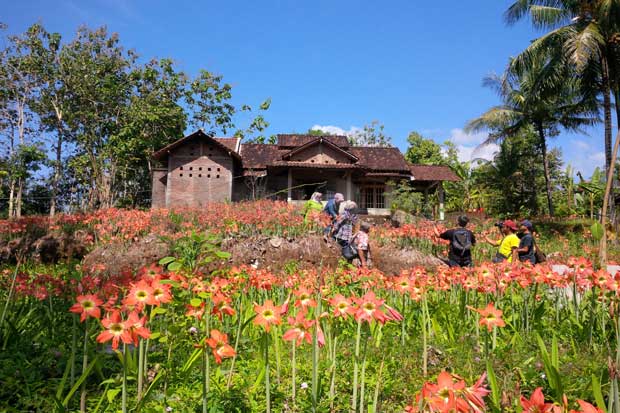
{"points": [[587, 33]]}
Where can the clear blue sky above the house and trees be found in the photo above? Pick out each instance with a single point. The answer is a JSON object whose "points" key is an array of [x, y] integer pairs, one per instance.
{"points": [[332, 63]]}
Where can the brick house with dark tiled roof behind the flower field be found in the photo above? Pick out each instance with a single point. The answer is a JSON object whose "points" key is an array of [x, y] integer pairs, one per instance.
{"points": [[198, 169]]}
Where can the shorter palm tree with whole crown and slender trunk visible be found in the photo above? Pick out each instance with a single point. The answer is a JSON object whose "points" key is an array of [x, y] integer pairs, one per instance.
{"points": [[537, 98]]}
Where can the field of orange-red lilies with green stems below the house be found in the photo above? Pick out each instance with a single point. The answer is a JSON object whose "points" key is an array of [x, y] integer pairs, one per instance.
{"points": [[170, 337]]}
